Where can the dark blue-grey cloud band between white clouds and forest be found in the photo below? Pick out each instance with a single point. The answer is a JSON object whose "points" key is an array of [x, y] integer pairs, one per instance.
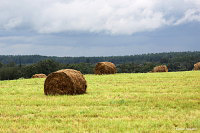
{"points": [[179, 38]]}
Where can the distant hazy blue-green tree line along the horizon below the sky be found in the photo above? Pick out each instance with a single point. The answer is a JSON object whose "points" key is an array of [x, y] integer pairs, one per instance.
{"points": [[138, 59]]}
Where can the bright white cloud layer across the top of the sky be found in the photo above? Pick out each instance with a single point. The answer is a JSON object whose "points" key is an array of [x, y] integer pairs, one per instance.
{"points": [[109, 16]]}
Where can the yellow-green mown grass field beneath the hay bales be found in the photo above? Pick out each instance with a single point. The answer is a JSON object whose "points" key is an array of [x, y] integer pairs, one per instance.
{"points": [[146, 102]]}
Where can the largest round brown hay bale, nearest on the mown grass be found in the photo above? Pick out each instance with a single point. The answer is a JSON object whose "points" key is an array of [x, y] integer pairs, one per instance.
{"points": [[65, 82]]}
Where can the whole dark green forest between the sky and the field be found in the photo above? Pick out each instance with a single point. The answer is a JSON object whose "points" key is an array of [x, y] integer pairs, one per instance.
{"points": [[24, 66]]}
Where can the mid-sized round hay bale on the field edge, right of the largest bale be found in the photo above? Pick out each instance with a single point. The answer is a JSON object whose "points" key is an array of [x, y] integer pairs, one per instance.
{"points": [[105, 68]]}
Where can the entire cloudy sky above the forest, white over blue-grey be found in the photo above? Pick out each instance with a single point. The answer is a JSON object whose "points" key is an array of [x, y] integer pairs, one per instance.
{"points": [[98, 27]]}
